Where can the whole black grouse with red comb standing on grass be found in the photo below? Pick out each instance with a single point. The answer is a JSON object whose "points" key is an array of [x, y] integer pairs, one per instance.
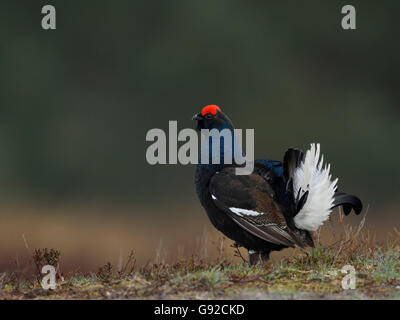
{"points": [[274, 207]]}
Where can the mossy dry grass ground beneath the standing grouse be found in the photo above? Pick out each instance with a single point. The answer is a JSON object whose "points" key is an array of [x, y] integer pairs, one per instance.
{"points": [[313, 273]]}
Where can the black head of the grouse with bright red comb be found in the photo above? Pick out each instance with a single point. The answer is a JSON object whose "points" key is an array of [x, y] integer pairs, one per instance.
{"points": [[212, 117]]}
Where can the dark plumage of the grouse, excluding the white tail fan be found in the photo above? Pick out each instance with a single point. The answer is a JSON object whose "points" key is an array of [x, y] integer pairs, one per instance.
{"points": [[257, 210]]}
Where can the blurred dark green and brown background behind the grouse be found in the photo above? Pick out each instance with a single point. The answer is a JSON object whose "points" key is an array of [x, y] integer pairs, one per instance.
{"points": [[76, 103]]}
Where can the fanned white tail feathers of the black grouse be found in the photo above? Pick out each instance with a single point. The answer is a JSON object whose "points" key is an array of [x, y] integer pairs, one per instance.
{"points": [[311, 177]]}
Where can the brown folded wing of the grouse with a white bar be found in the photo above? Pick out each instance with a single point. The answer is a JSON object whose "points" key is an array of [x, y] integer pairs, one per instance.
{"points": [[248, 200]]}
